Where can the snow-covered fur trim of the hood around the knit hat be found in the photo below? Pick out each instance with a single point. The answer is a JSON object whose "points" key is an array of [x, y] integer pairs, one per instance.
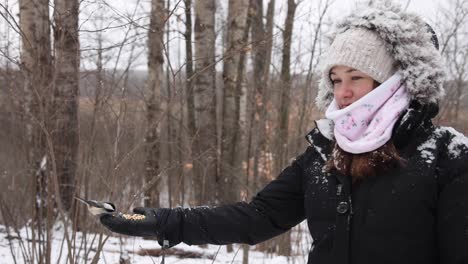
{"points": [[409, 41]]}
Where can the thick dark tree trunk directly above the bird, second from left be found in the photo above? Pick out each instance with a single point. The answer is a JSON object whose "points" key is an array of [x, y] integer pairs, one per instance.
{"points": [[67, 64]]}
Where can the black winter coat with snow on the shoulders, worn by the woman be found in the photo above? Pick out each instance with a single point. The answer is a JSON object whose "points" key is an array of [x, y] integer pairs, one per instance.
{"points": [[417, 214]]}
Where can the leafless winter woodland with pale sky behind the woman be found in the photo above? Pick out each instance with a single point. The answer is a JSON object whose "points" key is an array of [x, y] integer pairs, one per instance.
{"points": [[167, 103]]}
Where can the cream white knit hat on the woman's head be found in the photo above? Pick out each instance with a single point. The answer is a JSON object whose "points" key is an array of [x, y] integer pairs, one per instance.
{"points": [[361, 49]]}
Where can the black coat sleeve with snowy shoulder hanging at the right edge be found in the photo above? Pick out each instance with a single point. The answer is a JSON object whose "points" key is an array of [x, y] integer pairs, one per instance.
{"points": [[452, 211]]}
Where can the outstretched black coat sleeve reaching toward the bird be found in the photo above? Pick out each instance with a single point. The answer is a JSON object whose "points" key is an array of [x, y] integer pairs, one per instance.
{"points": [[274, 210]]}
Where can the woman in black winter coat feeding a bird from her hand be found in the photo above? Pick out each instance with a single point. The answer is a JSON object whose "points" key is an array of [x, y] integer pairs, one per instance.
{"points": [[379, 182]]}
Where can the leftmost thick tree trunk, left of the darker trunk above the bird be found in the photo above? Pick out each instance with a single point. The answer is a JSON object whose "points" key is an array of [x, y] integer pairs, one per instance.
{"points": [[36, 62]]}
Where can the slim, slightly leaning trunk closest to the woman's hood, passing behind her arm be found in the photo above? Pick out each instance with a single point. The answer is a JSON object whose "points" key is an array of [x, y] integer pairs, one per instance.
{"points": [[282, 153]]}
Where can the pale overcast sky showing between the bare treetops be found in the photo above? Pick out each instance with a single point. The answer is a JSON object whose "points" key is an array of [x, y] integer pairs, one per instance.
{"points": [[134, 49]]}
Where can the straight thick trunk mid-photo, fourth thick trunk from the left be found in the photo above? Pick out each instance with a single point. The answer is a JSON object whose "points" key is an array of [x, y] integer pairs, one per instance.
{"points": [[205, 158]]}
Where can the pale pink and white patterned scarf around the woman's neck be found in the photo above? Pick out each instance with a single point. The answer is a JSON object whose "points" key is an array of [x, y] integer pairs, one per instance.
{"points": [[367, 124]]}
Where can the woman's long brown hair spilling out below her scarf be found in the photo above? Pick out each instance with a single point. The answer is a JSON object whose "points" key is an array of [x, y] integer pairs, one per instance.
{"points": [[369, 164]]}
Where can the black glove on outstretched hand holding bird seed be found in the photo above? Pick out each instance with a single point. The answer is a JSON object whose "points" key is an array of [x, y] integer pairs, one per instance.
{"points": [[133, 225]]}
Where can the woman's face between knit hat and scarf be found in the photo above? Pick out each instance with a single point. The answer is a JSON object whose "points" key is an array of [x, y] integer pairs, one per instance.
{"points": [[349, 85]]}
